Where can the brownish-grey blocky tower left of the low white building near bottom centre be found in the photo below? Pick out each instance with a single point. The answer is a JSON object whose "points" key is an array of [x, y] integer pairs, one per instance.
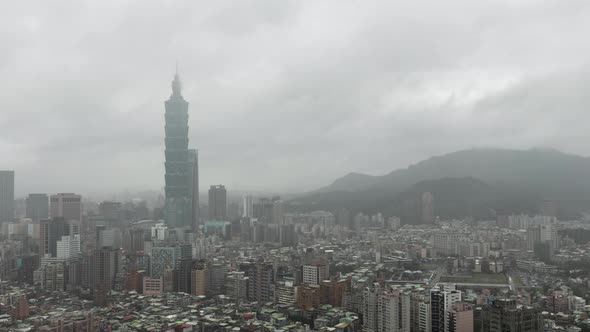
{"points": [[260, 281]]}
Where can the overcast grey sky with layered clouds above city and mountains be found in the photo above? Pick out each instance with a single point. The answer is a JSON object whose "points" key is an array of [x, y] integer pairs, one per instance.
{"points": [[284, 95]]}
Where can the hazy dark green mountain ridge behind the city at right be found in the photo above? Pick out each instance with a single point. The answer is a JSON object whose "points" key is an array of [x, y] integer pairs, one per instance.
{"points": [[504, 181]]}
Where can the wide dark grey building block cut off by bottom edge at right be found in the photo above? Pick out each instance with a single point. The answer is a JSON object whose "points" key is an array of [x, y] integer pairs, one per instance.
{"points": [[505, 315]]}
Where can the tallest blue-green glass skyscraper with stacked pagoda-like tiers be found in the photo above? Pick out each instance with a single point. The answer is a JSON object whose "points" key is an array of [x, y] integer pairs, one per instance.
{"points": [[178, 205]]}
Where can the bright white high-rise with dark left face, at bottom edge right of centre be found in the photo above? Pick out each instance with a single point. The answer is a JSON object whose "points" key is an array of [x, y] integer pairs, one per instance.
{"points": [[442, 301]]}
